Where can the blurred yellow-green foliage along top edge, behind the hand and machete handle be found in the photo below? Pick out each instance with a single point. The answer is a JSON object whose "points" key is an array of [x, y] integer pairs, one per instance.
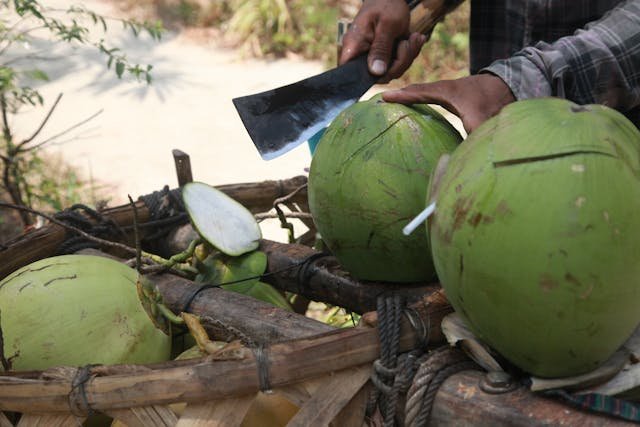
{"points": [[307, 29]]}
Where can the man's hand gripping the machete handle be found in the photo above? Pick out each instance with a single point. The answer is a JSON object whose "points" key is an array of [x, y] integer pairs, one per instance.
{"points": [[375, 29]]}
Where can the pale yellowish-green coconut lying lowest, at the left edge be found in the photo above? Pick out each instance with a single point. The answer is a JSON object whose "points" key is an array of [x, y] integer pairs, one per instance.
{"points": [[75, 310]]}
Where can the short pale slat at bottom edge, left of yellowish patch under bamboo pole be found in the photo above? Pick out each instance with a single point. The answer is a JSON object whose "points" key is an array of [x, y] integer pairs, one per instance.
{"points": [[219, 413]]}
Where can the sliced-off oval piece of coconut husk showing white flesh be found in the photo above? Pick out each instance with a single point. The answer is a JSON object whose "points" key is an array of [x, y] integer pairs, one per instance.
{"points": [[220, 220]]}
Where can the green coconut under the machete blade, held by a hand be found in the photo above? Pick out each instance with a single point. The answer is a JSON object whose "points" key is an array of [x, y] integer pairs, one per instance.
{"points": [[368, 179]]}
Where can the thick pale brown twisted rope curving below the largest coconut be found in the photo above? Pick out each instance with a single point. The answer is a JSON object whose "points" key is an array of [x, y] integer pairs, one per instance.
{"points": [[434, 368]]}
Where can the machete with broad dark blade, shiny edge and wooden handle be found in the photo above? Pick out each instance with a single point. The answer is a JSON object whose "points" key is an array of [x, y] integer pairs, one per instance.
{"points": [[280, 119]]}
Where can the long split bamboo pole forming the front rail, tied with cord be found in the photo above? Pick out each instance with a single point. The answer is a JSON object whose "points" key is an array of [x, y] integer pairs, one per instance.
{"points": [[199, 380]]}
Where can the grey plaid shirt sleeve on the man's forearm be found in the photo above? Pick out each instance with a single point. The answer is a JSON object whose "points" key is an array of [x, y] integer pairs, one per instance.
{"points": [[597, 64]]}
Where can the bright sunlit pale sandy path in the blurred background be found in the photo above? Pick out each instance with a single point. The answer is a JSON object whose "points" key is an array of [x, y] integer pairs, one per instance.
{"points": [[188, 106]]}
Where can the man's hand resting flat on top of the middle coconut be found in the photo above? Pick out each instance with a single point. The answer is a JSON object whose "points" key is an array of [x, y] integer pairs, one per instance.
{"points": [[474, 99]]}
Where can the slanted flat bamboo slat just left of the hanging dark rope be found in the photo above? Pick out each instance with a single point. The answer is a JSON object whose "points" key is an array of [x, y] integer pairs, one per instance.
{"points": [[327, 402]]}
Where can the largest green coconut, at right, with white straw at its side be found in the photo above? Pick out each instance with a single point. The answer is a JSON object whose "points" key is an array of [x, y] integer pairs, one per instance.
{"points": [[535, 234]]}
